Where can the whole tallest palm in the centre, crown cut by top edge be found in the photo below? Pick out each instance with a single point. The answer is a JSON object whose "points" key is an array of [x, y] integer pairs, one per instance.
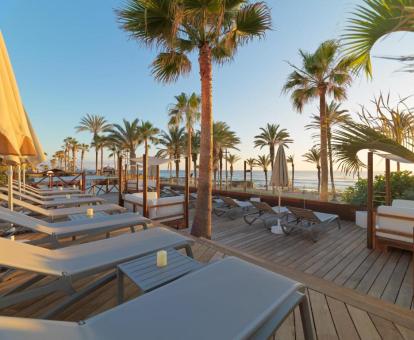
{"points": [[215, 31]]}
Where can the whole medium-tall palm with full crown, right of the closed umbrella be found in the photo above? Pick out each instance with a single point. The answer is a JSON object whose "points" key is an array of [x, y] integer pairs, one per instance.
{"points": [[322, 73]]}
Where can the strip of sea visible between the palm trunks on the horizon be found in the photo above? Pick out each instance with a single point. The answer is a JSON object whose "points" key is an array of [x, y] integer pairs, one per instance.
{"points": [[306, 180]]}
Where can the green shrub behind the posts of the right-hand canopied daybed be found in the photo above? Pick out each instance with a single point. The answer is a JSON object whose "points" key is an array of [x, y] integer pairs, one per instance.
{"points": [[402, 186]]}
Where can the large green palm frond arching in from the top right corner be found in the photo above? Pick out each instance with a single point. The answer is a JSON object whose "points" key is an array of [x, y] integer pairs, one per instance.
{"points": [[372, 21]]}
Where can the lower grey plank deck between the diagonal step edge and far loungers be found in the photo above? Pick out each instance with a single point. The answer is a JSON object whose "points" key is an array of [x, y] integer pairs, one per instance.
{"points": [[340, 257]]}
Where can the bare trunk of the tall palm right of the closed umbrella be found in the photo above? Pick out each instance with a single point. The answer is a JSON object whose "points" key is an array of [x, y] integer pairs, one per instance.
{"points": [[323, 151]]}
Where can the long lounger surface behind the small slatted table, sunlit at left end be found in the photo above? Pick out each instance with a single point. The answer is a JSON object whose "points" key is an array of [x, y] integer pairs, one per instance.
{"points": [[81, 258]]}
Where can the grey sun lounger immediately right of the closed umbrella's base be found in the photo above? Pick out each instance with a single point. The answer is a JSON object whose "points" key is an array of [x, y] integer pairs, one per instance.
{"points": [[307, 220]]}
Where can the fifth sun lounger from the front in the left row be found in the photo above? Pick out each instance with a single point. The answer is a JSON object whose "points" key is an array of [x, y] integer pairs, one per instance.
{"points": [[62, 201]]}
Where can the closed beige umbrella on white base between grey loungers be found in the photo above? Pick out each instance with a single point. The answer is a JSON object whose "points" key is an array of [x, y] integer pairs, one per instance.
{"points": [[279, 179]]}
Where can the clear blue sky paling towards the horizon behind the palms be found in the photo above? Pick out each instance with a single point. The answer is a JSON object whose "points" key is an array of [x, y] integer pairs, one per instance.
{"points": [[71, 58]]}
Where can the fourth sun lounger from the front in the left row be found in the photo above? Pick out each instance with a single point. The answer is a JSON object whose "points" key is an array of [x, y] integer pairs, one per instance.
{"points": [[63, 212]]}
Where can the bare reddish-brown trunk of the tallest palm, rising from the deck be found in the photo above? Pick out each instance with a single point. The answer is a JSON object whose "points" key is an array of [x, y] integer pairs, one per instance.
{"points": [[202, 220]]}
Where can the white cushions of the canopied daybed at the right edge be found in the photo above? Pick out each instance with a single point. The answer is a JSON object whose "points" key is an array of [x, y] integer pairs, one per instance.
{"points": [[394, 224]]}
